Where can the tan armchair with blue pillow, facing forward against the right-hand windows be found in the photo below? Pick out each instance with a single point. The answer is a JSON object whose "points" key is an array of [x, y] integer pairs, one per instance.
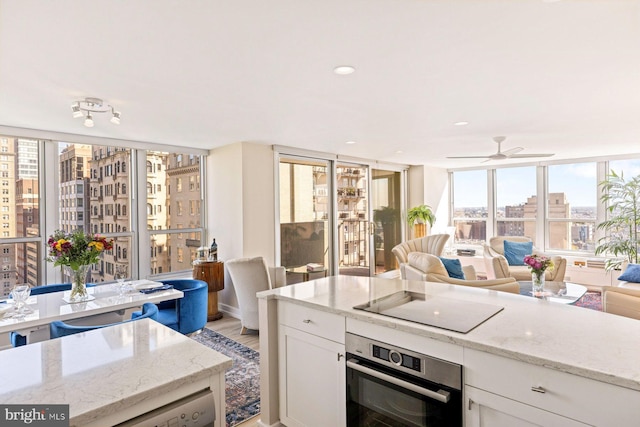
{"points": [[497, 266]]}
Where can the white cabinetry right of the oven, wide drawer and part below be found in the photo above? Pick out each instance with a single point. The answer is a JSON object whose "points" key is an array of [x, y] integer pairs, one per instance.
{"points": [[506, 392]]}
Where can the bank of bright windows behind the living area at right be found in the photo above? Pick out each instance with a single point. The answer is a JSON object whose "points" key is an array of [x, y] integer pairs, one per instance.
{"points": [[555, 204]]}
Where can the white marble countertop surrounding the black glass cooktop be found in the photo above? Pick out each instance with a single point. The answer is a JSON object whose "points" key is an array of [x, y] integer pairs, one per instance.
{"points": [[567, 338]]}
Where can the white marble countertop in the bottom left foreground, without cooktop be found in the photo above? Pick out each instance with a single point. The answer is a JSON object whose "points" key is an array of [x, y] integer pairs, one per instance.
{"points": [[105, 371]]}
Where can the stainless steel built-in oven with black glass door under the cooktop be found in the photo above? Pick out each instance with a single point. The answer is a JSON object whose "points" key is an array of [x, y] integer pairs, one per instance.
{"points": [[396, 387]]}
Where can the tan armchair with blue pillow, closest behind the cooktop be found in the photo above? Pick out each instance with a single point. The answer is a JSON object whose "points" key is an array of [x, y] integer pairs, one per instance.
{"points": [[429, 268]]}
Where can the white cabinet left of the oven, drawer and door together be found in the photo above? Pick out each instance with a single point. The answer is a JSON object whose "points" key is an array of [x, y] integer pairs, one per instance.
{"points": [[311, 367]]}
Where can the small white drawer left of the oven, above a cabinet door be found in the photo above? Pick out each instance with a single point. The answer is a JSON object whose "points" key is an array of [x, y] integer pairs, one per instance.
{"points": [[327, 325]]}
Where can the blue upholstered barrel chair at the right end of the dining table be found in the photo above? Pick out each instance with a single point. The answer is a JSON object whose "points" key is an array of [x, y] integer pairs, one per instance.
{"points": [[187, 314]]}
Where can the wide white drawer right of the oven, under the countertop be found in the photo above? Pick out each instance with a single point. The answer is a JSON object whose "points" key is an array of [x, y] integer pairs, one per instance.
{"points": [[589, 401]]}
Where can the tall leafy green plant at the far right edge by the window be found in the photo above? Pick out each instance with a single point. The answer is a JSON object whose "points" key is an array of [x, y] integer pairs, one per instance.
{"points": [[622, 199]]}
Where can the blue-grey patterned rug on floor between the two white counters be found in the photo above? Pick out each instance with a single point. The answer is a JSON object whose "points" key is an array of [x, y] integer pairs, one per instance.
{"points": [[242, 379]]}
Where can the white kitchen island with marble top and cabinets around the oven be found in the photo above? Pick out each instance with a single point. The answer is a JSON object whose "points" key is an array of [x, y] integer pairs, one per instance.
{"points": [[534, 360]]}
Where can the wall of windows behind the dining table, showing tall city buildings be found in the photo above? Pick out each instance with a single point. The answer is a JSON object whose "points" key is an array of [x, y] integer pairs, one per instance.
{"points": [[92, 187]]}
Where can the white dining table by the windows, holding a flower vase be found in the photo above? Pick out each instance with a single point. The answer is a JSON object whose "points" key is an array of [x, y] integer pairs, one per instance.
{"points": [[106, 304]]}
